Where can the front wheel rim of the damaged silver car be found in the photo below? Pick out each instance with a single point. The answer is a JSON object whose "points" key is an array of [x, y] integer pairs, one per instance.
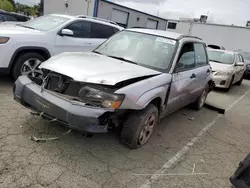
{"points": [[147, 130]]}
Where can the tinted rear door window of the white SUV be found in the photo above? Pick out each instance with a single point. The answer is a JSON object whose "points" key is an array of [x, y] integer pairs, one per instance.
{"points": [[101, 31]]}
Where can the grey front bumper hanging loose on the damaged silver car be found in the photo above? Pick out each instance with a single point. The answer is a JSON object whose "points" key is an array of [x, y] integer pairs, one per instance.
{"points": [[73, 114]]}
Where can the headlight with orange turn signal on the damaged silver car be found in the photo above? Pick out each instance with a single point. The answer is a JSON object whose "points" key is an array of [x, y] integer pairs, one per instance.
{"points": [[100, 98]]}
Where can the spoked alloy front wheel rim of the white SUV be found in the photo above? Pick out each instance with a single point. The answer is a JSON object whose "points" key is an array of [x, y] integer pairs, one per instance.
{"points": [[30, 68]]}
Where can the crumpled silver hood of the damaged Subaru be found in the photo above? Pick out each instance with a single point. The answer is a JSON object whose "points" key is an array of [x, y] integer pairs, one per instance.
{"points": [[95, 68]]}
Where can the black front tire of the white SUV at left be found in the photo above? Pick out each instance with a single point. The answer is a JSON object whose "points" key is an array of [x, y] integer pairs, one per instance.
{"points": [[20, 60]]}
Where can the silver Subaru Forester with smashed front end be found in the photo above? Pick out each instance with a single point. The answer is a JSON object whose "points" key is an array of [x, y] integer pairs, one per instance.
{"points": [[129, 82]]}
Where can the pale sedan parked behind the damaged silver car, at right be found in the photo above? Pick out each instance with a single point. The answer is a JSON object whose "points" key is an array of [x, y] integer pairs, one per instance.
{"points": [[228, 68]]}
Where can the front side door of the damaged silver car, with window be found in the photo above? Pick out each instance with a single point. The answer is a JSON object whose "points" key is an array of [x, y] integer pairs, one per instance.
{"points": [[183, 82]]}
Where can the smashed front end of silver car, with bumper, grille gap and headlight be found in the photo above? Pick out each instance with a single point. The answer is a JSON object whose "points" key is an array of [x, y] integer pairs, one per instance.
{"points": [[78, 105]]}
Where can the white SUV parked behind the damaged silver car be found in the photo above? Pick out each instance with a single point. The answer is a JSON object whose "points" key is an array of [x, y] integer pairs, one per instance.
{"points": [[24, 46]]}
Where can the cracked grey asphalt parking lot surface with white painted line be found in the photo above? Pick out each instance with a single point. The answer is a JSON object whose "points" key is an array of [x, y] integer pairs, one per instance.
{"points": [[76, 160]]}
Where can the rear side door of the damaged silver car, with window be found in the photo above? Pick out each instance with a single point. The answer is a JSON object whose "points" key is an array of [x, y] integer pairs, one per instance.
{"points": [[202, 70]]}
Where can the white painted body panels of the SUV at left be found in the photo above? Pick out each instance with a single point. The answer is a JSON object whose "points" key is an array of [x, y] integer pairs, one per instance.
{"points": [[50, 40]]}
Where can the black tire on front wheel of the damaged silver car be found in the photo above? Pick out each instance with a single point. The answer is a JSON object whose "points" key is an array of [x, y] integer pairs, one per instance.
{"points": [[135, 124]]}
